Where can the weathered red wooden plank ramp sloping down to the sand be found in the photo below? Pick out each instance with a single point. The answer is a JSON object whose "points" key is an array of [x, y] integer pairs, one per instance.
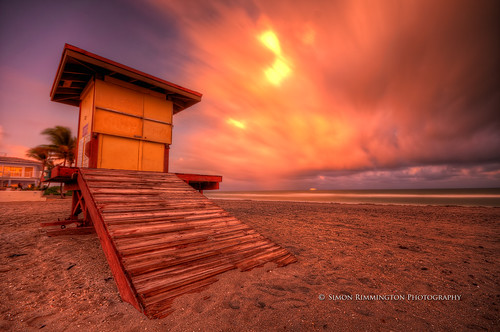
{"points": [[163, 239]]}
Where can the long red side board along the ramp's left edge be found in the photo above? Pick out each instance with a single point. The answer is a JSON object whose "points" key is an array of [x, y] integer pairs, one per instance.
{"points": [[123, 282]]}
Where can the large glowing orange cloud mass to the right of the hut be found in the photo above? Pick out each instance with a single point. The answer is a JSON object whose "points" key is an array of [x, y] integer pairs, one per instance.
{"points": [[338, 86]]}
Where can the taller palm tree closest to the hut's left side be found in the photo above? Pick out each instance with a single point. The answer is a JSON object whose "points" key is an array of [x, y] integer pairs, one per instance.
{"points": [[63, 143]]}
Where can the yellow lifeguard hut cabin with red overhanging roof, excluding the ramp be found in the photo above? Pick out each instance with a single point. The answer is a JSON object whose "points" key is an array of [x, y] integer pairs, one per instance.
{"points": [[125, 119]]}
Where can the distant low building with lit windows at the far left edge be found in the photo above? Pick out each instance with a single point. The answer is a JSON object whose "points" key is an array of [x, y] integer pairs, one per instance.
{"points": [[18, 170]]}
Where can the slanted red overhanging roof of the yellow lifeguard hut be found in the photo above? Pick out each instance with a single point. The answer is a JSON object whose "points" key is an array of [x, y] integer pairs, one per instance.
{"points": [[78, 67]]}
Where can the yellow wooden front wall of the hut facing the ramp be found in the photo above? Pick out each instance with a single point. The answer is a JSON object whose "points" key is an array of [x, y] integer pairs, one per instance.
{"points": [[133, 126]]}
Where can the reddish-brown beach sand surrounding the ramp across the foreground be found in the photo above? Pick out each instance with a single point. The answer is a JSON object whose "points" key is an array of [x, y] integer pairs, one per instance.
{"points": [[345, 252]]}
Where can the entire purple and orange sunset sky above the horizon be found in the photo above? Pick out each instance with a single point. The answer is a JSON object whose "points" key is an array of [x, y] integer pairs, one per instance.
{"points": [[337, 94]]}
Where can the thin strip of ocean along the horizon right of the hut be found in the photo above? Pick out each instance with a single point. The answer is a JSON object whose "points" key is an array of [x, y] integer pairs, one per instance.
{"points": [[443, 197]]}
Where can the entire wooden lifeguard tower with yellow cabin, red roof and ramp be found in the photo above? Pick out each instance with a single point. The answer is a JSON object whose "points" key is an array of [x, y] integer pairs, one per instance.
{"points": [[162, 238]]}
